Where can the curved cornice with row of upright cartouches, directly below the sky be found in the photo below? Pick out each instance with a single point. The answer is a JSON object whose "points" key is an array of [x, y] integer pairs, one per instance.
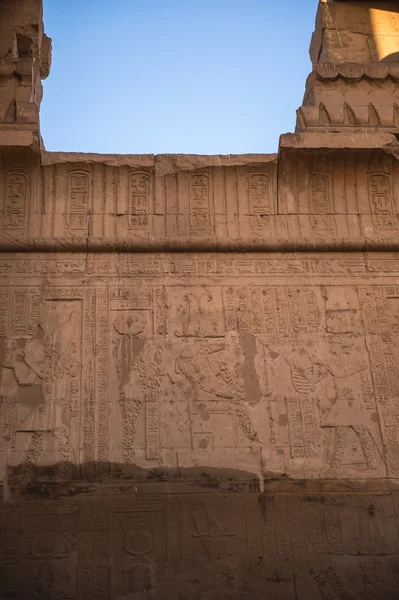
{"points": [[337, 195]]}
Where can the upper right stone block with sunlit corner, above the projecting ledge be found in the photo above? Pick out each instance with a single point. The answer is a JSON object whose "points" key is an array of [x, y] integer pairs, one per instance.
{"points": [[354, 49]]}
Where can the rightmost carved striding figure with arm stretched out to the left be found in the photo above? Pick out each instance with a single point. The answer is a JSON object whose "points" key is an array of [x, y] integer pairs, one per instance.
{"points": [[334, 364]]}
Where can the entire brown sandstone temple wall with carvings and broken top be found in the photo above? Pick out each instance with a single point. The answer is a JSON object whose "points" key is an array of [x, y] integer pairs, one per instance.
{"points": [[199, 354]]}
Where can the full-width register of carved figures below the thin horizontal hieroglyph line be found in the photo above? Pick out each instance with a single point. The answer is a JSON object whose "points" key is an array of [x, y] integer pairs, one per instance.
{"points": [[279, 367]]}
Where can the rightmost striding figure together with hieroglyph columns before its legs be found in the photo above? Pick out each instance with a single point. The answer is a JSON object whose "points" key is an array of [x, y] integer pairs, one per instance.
{"points": [[328, 398]]}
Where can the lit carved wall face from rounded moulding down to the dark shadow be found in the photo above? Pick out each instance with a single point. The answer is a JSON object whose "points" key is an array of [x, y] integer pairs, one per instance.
{"points": [[270, 364]]}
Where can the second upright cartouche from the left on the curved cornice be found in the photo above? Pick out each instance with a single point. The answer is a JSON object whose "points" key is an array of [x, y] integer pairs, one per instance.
{"points": [[77, 217]]}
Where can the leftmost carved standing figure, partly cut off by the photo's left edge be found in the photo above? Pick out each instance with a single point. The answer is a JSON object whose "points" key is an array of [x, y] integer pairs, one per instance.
{"points": [[48, 361]]}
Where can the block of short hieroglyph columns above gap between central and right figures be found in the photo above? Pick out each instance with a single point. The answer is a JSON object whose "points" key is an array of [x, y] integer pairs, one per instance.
{"points": [[279, 310]]}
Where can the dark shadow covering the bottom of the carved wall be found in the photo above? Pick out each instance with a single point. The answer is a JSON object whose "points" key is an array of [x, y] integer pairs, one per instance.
{"points": [[213, 538]]}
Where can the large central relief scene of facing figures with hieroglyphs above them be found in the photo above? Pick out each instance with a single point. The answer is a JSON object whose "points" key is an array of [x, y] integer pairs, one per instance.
{"points": [[275, 368]]}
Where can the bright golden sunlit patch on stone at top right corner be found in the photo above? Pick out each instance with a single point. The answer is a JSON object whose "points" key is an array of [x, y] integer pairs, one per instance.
{"points": [[384, 23]]}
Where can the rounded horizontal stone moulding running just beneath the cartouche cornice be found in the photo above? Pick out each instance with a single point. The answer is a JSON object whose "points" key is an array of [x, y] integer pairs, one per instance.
{"points": [[197, 245]]}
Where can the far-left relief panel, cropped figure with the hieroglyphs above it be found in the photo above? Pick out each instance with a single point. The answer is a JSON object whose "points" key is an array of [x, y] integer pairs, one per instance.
{"points": [[40, 380]]}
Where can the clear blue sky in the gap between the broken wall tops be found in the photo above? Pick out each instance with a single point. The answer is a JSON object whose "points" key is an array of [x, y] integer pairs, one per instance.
{"points": [[160, 76]]}
